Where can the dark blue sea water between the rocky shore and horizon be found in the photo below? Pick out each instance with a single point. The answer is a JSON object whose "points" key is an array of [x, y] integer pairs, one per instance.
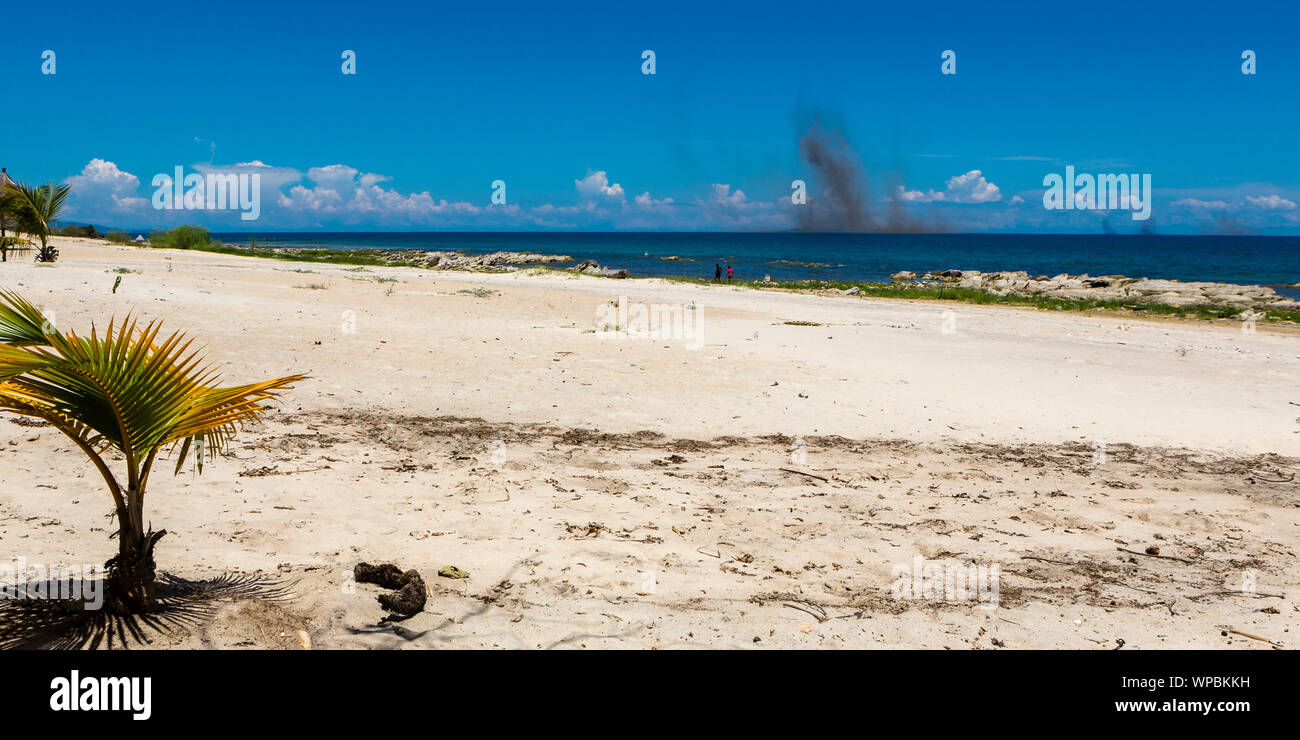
{"points": [[1253, 261]]}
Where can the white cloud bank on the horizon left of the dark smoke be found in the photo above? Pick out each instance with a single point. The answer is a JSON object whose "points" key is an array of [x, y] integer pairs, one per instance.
{"points": [[341, 197]]}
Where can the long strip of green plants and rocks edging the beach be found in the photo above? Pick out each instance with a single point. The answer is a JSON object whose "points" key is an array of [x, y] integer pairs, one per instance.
{"points": [[959, 287]]}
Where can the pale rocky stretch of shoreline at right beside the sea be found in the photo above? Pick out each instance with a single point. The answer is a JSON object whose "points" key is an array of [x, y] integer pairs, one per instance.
{"points": [[1112, 288]]}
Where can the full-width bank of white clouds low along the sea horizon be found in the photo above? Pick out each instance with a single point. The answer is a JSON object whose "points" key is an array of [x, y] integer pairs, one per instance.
{"points": [[339, 197]]}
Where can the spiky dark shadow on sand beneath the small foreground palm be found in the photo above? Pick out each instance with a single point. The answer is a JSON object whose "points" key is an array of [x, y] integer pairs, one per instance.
{"points": [[66, 625]]}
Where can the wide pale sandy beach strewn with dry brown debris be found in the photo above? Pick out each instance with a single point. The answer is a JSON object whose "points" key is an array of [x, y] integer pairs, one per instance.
{"points": [[760, 484]]}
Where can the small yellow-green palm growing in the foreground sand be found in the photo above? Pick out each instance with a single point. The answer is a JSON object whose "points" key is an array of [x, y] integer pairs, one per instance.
{"points": [[128, 391]]}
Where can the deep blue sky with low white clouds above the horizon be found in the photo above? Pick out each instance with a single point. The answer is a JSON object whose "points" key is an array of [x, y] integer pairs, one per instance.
{"points": [[551, 99]]}
